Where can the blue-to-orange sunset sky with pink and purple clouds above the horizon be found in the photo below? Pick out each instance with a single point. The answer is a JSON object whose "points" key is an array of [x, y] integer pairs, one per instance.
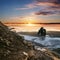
{"points": [[29, 11]]}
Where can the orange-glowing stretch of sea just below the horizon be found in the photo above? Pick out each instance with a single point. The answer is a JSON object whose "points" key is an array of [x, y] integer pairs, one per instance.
{"points": [[34, 27]]}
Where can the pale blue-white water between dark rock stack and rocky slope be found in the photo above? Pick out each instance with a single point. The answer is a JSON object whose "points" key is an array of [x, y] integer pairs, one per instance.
{"points": [[49, 42]]}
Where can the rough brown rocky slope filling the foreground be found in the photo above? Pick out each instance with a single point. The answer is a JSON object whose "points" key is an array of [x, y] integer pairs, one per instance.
{"points": [[14, 47]]}
